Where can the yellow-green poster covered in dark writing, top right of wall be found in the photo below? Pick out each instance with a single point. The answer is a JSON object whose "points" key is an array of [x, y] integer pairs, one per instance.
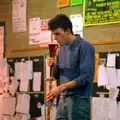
{"points": [[101, 12]]}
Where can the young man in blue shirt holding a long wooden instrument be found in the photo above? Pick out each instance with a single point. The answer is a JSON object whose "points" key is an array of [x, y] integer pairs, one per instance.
{"points": [[74, 67]]}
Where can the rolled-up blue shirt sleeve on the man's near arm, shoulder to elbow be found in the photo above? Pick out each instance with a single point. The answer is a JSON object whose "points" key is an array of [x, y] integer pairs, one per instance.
{"points": [[86, 65]]}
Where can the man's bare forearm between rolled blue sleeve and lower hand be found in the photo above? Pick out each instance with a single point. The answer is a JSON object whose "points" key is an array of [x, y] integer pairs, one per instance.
{"points": [[68, 85]]}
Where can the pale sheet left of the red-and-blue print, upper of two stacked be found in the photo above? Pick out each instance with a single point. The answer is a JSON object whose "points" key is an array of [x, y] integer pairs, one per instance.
{"points": [[34, 24]]}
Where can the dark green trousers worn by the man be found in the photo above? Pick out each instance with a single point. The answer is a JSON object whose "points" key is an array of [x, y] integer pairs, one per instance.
{"points": [[73, 107]]}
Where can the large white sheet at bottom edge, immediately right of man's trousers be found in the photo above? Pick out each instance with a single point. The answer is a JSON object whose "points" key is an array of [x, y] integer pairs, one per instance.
{"points": [[100, 108]]}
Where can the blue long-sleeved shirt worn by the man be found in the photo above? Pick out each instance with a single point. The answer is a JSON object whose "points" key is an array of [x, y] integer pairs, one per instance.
{"points": [[76, 62]]}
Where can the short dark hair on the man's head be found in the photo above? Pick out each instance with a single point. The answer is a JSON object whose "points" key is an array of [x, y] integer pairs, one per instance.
{"points": [[60, 21]]}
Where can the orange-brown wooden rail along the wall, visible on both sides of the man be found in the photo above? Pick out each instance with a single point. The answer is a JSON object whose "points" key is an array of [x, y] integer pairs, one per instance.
{"points": [[45, 47]]}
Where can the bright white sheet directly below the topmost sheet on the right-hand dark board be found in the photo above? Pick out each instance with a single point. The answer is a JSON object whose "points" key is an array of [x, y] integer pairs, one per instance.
{"points": [[112, 77]]}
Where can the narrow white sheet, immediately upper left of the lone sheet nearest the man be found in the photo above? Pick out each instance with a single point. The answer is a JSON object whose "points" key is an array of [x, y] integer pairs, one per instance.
{"points": [[29, 69]]}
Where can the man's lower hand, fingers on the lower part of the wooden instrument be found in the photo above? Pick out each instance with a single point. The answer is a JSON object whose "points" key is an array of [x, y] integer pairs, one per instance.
{"points": [[54, 92]]}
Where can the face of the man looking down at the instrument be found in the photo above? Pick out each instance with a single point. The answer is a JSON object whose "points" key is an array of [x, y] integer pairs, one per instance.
{"points": [[61, 36]]}
